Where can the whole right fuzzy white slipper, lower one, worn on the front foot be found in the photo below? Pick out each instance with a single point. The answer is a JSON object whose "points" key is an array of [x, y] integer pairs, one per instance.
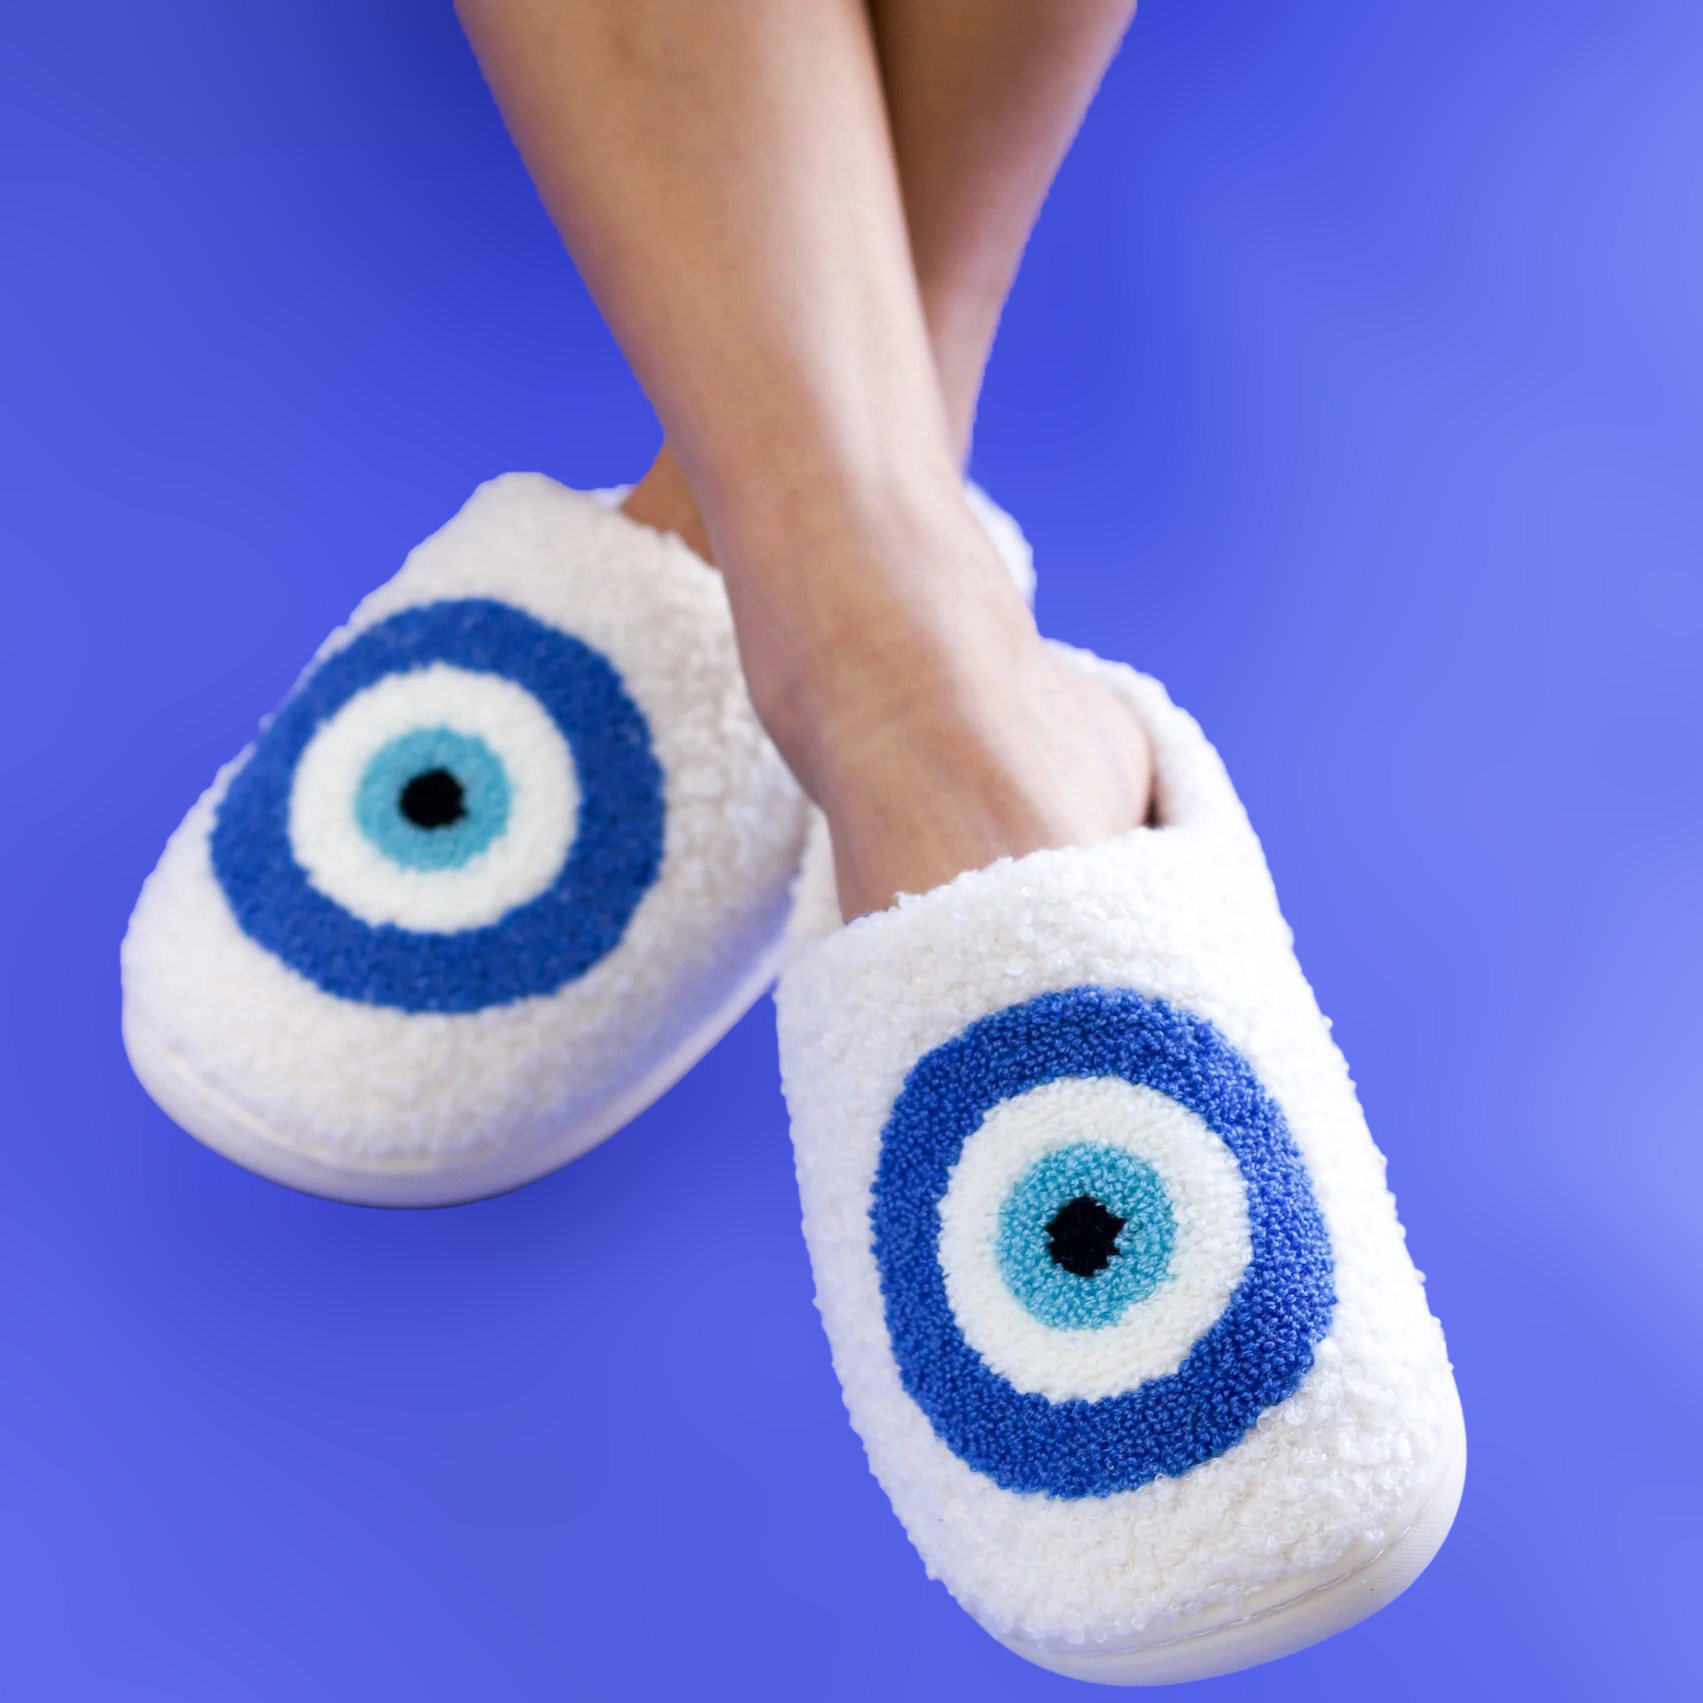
{"points": [[1115, 1287]]}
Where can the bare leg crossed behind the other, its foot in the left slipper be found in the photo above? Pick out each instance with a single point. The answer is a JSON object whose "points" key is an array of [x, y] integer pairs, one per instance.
{"points": [[983, 100]]}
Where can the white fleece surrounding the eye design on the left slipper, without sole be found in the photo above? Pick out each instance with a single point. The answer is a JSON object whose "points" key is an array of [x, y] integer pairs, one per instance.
{"points": [[507, 1092]]}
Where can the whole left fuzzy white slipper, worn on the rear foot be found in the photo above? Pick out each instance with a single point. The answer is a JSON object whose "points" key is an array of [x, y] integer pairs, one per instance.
{"points": [[507, 863]]}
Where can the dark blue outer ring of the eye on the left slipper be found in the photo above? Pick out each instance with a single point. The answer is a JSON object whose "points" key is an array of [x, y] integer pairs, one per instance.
{"points": [[537, 948]]}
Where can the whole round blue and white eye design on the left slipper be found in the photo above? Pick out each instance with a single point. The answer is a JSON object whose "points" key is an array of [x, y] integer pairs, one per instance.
{"points": [[456, 811]]}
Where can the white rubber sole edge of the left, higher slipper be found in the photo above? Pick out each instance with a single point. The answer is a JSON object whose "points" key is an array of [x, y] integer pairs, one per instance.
{"points": [[231, 1130]]}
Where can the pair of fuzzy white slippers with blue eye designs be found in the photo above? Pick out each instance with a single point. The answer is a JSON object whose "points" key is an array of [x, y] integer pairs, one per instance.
{"points": [[1115, 1288]]}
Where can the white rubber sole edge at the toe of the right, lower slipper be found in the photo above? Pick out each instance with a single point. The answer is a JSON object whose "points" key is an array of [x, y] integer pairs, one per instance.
{"points": [[1288, 1615]]}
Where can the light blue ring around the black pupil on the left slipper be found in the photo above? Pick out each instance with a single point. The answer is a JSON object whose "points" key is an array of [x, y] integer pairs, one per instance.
{"points": [[433, 752]]}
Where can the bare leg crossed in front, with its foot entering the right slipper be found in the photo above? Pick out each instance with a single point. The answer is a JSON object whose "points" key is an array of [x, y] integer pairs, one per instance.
{"points": [[725, 176]]}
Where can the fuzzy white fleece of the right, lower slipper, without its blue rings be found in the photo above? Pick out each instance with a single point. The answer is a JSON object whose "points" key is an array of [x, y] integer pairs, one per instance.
{"points": [[1184, 912]]}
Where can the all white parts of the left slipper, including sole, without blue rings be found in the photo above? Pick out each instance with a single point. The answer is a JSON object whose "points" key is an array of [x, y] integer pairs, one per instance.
{"points": [[421, 1108]]}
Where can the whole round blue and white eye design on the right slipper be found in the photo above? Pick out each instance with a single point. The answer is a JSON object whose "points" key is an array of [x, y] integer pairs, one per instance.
{"points": [[1099, 1249]]}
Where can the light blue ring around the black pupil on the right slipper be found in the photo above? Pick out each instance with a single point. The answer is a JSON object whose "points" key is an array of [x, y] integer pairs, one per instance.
{"points": [[1138, 1261]]}
